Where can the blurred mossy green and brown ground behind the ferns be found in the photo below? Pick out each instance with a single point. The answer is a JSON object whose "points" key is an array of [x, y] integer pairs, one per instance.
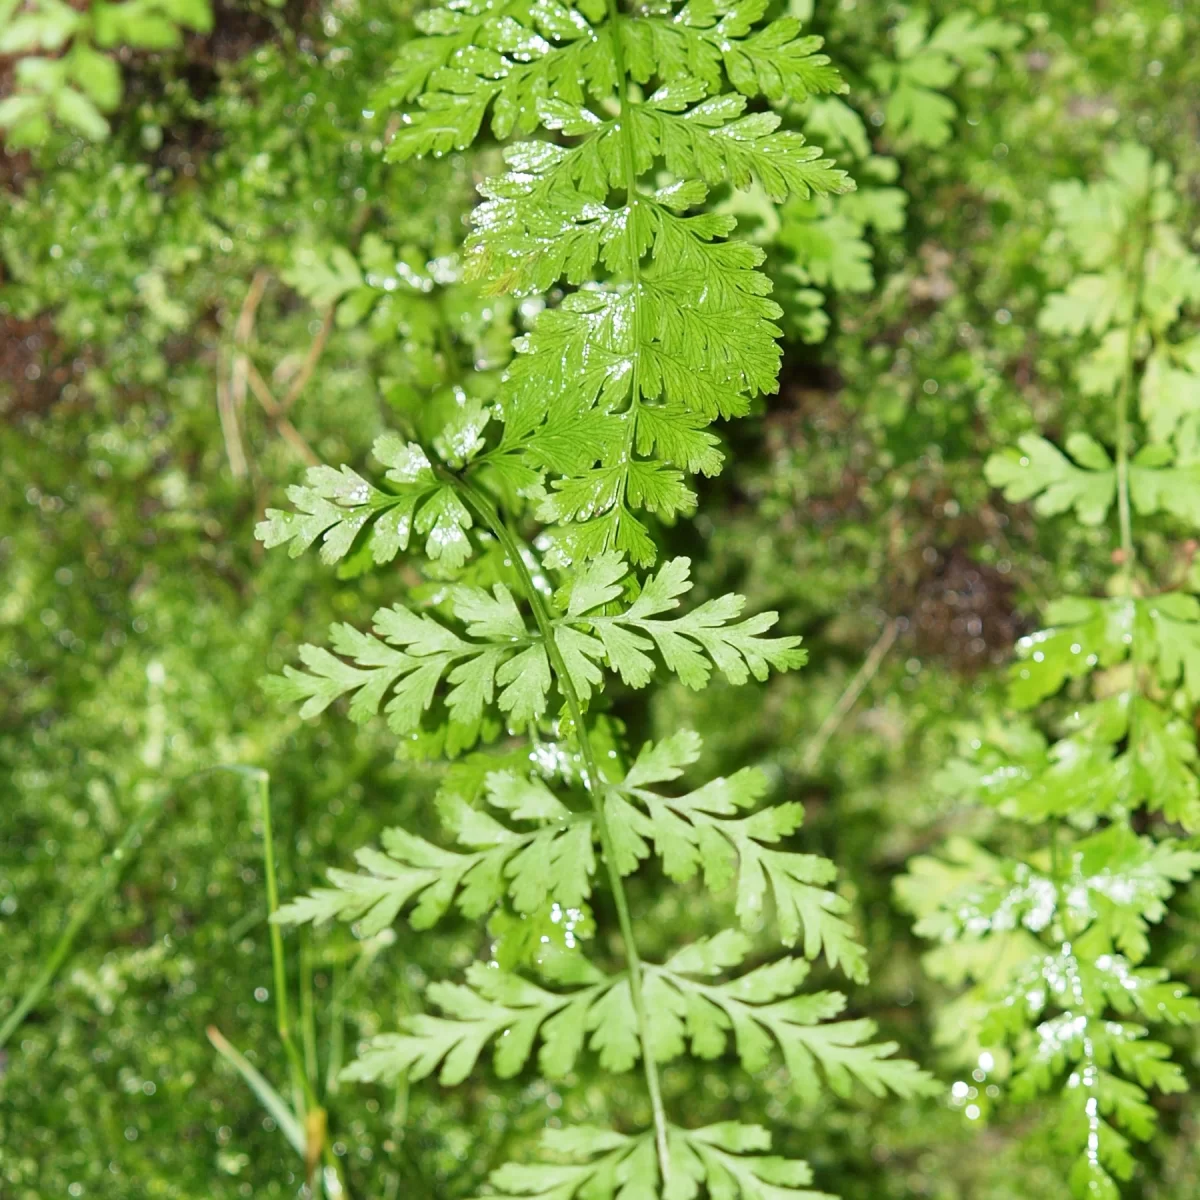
{"points": [[209, 280]]}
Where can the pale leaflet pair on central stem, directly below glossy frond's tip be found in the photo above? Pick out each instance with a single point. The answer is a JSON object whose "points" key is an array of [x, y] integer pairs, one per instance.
{"points": [[500, 661]]}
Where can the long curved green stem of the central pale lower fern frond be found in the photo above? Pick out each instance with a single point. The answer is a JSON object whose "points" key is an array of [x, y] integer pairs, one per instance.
{"points": [[597, 788]]}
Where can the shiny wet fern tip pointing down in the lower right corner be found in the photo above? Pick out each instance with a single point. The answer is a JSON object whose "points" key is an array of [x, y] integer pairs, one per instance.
{"points": [[1063, 1006]]}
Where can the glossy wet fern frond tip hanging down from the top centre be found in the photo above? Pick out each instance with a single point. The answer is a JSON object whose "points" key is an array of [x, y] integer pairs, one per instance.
{"points": [[670, 326]]}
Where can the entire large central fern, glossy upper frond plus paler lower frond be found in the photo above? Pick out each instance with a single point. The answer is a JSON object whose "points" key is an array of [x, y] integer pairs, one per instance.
{"points": [[656, 323]]}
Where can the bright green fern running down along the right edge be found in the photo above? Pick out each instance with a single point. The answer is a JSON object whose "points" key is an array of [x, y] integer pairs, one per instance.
{"points": [[1057, 941]]}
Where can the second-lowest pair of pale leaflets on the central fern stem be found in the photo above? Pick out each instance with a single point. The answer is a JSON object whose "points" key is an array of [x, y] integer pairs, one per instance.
{"points": [[753, 1012]]}
